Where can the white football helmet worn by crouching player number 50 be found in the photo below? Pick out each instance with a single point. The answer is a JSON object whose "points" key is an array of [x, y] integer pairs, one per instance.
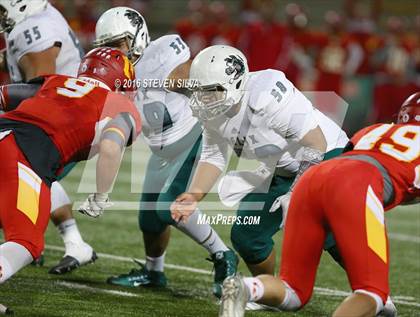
{"points": [[221, 72]]}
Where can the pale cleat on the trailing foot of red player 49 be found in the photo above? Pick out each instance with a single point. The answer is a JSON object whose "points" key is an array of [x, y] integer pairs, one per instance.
{"points": [[235, 295]]}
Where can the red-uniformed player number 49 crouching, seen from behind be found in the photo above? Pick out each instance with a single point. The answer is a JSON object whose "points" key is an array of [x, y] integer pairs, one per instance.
{"points": [[381, 170]]}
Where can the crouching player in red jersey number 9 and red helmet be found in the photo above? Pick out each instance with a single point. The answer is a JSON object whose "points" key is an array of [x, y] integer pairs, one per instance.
{"points": [[62, 120]]}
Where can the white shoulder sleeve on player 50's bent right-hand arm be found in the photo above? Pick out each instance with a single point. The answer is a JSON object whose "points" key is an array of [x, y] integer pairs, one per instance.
{"points": [[294, 119]]}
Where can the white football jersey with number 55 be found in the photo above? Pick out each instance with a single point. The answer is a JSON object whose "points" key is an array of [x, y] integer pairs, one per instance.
{"points": [[38, 33]]}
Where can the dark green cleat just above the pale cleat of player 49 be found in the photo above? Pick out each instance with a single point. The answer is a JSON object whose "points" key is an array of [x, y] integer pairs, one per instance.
{"points": [[225, 265]]}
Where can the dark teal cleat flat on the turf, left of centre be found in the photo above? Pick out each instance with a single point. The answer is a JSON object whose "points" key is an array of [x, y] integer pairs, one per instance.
{"points": [[139, 277]]}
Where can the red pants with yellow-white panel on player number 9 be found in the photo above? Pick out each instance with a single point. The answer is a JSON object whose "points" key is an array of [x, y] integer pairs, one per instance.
{"points": [[24, 199]]}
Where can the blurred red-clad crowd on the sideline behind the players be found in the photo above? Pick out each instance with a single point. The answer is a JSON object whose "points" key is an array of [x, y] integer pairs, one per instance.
{"points": [[367, 51]]}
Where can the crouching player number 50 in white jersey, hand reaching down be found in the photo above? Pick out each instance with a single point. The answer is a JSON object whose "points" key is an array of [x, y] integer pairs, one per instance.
{"points": [[263, 117]]}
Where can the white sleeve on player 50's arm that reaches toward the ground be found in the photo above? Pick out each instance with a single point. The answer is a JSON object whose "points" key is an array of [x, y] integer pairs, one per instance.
{"points": [[214, 150]]}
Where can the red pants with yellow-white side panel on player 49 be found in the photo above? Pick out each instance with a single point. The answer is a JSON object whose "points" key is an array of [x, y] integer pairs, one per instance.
{"points": [[343, 196]]}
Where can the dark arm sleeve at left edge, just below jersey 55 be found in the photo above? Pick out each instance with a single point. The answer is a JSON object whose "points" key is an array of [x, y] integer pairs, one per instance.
{"points": [[12, 95]]}
